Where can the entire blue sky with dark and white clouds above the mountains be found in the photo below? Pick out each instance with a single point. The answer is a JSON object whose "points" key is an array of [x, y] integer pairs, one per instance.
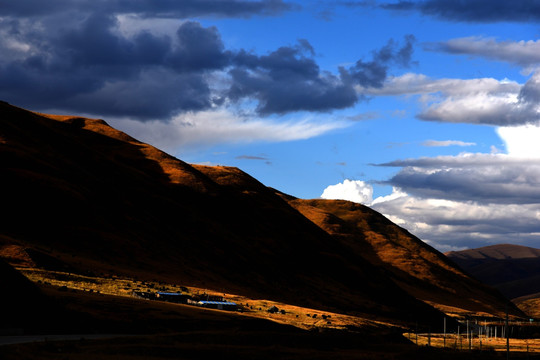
{"points": [[426, 111]]}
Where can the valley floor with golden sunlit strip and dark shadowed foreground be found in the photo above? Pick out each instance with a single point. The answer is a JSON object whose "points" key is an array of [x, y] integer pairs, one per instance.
{"points": [[160, 330]]}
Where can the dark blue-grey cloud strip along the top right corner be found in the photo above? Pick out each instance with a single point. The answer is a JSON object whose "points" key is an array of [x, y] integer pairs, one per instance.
{"points": [[473, 10]]}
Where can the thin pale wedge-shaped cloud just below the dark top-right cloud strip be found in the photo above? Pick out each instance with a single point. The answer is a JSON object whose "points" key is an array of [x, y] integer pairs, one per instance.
{"points": [[522, 53]]}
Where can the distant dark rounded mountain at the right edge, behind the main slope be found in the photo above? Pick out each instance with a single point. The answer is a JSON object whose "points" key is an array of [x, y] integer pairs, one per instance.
{"points": [[513, 269]]}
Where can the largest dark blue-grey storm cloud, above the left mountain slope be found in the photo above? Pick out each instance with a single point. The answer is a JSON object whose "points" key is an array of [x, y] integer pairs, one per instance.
{"points": [[92, 68]]}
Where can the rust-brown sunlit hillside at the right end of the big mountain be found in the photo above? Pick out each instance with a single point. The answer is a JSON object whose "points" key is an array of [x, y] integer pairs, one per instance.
{"points": [[415, 266]]}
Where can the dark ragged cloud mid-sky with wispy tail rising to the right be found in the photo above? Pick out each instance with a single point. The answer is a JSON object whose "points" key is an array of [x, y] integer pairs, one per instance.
{"points": [[288, 79]]}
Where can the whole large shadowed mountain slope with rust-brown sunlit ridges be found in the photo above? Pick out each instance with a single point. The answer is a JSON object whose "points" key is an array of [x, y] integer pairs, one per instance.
{"points": [[84, 197]]}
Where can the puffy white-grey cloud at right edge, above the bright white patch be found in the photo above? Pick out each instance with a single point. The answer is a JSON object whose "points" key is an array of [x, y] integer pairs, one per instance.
{"points": [[476, 101]]}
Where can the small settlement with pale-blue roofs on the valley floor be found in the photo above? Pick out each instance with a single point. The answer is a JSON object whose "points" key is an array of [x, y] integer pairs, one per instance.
{"points": [[202, 300]]}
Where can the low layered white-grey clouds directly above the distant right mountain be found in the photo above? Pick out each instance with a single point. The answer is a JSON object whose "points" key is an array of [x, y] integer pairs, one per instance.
{"points": [[447, 224]]}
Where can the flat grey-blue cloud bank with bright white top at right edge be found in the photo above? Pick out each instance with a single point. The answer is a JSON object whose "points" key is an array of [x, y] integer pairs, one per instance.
{"points": [[512, 178]]}
